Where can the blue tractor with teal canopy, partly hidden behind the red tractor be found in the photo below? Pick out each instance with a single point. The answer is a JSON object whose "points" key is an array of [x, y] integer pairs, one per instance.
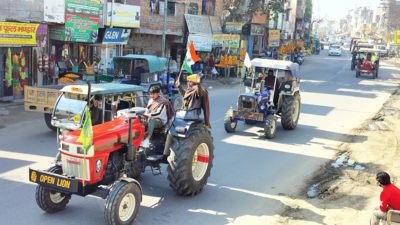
{"points": [[147, 71]]}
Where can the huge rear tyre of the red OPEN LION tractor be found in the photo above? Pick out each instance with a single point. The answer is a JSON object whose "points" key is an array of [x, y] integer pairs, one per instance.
{"points": [[193, 162]]}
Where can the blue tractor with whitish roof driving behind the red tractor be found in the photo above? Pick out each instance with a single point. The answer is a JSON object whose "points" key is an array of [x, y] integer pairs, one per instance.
{"points": [[263, 104]]}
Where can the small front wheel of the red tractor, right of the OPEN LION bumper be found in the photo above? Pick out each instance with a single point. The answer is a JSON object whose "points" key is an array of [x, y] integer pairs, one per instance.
{"points": [[122, 205]]}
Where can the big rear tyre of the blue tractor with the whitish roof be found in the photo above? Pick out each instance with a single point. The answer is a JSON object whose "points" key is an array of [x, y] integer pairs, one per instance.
{"points": [[290, 111]]}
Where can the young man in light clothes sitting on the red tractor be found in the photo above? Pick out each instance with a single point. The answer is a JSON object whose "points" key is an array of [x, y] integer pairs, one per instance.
{"points": [[158, 112]]}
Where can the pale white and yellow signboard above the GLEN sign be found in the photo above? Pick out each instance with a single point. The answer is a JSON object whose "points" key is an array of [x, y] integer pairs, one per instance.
{"points": [[124, 15]]}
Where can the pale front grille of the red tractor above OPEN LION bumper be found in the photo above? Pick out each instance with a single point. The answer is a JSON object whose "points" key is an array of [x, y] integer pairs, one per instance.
{"points": [[74, 167]]}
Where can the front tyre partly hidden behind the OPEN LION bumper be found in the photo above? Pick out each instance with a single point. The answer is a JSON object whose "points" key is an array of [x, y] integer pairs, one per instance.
{"points": [[51, 201]]}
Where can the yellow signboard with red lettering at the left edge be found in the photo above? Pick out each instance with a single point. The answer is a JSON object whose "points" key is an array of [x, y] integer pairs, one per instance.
{"points": [[22, 34]]}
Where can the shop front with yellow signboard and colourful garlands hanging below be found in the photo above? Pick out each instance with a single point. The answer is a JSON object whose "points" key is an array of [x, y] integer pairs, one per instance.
{"points": [[18, 42]]}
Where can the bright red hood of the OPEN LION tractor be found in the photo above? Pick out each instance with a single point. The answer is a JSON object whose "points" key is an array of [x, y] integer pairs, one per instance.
{"points": [[109, 135]]}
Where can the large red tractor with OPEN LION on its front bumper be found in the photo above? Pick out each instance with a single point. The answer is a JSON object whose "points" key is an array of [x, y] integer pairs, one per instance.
{"points": [[114, 162]]}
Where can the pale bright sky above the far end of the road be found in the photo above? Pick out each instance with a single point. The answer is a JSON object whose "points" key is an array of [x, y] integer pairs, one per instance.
{"points": [[336, 9]]}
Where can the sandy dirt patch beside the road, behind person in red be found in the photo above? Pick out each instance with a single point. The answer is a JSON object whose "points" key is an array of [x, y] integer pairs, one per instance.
{"points": [[345, 191]]}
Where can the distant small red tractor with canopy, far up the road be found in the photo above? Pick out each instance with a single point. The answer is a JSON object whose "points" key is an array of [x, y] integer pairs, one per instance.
{"points": [[368, 62]]}
